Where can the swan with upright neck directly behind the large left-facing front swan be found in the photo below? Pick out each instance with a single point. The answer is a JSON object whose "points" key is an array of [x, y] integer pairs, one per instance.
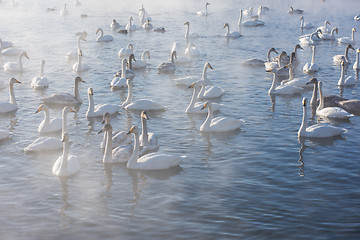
{"points": [[148, 141]]}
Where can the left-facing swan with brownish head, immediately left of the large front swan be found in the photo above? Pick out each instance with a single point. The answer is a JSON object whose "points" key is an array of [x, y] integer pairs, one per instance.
{"points": [[119, 154]]}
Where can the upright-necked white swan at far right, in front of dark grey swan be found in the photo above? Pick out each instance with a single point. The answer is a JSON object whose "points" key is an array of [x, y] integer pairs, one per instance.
{"points": [[330, 112]]}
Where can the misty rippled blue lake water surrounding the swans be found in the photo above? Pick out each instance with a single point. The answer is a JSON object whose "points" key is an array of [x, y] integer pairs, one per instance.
{"points": [[248, 184]]}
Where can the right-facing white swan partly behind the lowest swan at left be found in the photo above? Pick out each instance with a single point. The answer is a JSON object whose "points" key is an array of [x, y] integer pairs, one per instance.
{"points": [[42, 144]]}
